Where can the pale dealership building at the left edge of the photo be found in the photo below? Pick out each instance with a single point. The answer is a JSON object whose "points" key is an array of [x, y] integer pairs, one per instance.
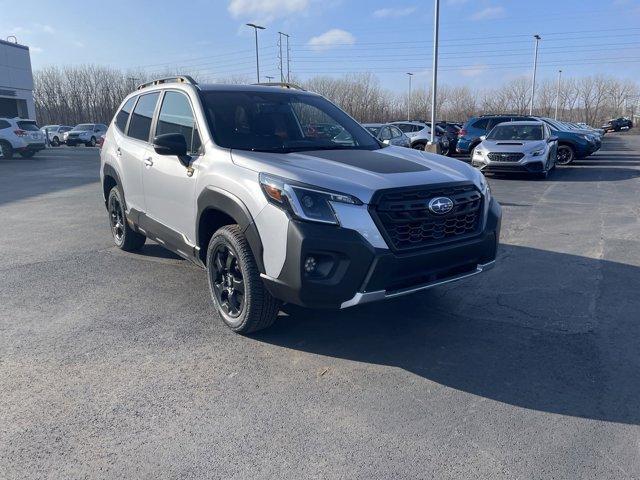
{"points": [[16, 81]]}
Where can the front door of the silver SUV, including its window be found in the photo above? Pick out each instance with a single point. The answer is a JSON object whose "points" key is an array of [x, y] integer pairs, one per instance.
{"points": [[169, 182]]}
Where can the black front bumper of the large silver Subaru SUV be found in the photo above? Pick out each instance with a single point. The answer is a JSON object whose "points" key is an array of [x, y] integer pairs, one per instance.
{"points": [[355, 272]]}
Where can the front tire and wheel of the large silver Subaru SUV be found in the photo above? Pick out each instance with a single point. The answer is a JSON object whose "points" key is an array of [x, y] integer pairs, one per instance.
{"points": [[237, 291]]}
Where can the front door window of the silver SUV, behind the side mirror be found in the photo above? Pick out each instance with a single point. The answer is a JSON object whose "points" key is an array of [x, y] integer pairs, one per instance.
{"points": [[176, 116]]}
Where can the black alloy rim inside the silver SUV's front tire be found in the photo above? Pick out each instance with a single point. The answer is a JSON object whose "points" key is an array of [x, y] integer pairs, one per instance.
{"points": [[228, 281]]}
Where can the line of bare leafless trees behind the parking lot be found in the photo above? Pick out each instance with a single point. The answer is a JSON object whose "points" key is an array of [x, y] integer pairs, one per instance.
{"points": [[91, 93]]}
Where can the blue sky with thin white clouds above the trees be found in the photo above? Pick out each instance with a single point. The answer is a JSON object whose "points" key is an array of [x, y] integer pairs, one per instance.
{"points": [[483, 42]]}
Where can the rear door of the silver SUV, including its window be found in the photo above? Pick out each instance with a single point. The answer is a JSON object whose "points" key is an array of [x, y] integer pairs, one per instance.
{"points": [[133, 146]]}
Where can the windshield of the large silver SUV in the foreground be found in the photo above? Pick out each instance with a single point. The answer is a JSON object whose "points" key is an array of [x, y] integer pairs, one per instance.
{"points": [[282, 122]]}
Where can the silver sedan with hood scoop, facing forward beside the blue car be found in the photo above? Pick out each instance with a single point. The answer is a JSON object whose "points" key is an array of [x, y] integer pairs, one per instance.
{"points": [[518, 147]]}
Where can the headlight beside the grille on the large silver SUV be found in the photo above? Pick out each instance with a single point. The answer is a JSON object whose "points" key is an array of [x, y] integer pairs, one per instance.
{"points": [[302, 201]]}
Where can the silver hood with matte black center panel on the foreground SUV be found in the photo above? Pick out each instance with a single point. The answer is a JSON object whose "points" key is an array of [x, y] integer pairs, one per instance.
{"points": [[360, 172]]}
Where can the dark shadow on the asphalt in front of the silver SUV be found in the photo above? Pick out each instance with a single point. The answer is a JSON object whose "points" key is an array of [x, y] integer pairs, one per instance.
{"points": [[545, 331]]}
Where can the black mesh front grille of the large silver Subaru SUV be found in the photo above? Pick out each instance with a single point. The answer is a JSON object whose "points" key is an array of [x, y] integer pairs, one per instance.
{"points": [[407, 223]]}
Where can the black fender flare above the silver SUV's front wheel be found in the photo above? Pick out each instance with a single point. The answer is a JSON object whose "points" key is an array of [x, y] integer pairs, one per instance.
{"points": [[213, 198]]}
